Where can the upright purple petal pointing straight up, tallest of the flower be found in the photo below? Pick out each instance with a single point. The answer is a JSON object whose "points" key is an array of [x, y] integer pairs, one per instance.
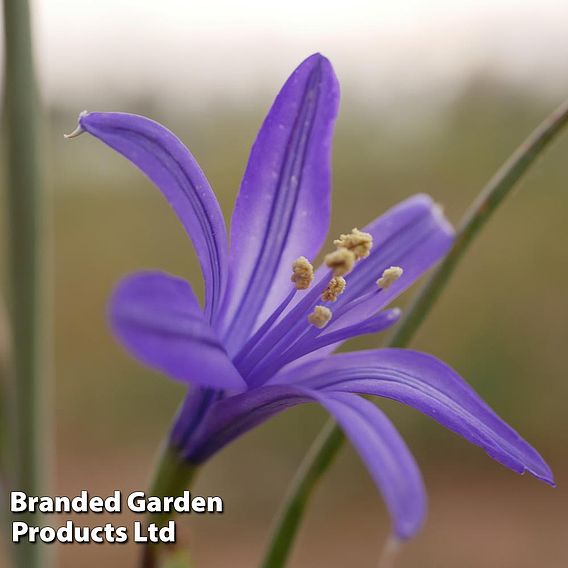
{"points": [[282, 211]]}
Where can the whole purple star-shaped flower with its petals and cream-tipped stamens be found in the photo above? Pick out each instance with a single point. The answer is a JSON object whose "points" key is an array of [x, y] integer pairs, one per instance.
{"points": [[265, 338]]}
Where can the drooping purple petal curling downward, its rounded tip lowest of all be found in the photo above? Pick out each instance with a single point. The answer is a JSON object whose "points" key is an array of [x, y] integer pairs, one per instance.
{"points": [[385, 454]]}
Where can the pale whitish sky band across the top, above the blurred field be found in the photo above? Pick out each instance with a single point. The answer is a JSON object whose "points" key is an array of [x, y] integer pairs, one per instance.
{"points": [[184, 51]]}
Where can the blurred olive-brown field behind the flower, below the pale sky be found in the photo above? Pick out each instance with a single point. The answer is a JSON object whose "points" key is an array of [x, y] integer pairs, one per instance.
{"points": [[502, 323]]}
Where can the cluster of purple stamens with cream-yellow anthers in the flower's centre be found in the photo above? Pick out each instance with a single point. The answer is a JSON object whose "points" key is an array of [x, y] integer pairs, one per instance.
{"points": [[286, 335]]}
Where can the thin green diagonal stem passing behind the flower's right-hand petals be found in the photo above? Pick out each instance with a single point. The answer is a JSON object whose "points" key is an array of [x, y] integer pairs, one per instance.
{"points": [[329, 440]]}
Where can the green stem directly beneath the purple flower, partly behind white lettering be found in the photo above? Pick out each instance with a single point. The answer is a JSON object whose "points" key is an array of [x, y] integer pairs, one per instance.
{"points": [[172, 478]]}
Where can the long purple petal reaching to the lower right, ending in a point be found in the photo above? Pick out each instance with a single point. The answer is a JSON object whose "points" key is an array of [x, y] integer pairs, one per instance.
{"points": [[430, 386]]}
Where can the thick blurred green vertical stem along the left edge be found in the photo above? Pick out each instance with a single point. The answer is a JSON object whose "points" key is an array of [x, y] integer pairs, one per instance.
{"points": [[25, 212]]}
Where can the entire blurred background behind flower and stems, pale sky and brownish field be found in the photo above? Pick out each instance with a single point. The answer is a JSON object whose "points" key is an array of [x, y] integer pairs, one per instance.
{"points": [[436, 95]]}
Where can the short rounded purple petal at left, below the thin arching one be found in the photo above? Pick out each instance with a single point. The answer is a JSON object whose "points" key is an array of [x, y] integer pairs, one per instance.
{"points": [[158, 319]]}
